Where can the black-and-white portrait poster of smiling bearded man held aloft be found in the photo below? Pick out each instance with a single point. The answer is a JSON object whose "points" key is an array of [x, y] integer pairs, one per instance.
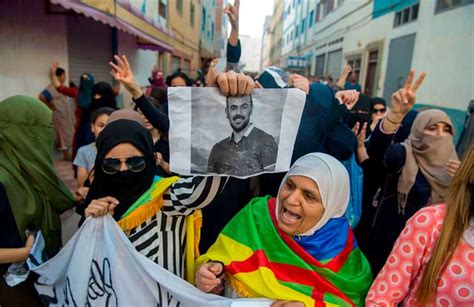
{"points": [[234, 136]]}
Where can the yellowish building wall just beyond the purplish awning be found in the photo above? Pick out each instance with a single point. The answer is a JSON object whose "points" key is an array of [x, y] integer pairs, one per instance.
{"points": [[186, 36]]}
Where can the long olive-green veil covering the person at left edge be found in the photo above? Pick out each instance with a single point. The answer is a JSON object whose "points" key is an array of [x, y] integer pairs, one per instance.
{"points": [[35, 193]]}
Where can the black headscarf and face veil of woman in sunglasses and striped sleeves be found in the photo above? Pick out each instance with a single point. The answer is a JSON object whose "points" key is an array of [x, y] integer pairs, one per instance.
{"points": [[126, 186]]}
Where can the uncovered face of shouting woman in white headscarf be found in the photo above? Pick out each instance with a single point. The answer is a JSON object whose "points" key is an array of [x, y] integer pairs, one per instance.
{"points": [[301, 206]]}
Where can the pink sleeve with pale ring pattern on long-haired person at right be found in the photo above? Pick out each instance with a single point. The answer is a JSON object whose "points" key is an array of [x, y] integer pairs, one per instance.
{"points": [[396, 279]]}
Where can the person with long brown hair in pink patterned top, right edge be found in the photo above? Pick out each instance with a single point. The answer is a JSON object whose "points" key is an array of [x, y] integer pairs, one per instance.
{"points": [[432, 261]]}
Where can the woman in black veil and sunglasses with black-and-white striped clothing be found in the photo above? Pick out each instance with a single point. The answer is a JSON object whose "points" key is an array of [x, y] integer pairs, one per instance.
{"points": [[151, 210]]}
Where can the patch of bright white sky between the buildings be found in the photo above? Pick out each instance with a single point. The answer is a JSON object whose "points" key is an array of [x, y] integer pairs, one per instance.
{"points": [[252, 16]]}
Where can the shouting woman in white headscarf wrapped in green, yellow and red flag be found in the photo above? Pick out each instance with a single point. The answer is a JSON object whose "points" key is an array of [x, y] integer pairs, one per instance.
{"points": [[297, 247]]}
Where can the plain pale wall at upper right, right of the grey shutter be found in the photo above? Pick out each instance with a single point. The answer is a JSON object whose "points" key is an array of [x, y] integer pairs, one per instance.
{"points": [[444, 49]]}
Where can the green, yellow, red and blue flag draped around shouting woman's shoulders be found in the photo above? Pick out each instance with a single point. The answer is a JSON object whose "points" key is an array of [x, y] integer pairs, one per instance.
{"points": [[262, 261]]}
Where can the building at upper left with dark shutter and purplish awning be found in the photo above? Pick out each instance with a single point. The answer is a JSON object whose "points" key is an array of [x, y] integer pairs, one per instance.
{"points": [[81, 37]]}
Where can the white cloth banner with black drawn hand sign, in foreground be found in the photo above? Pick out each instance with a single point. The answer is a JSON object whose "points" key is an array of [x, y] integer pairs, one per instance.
{"points": [[100, 267]]}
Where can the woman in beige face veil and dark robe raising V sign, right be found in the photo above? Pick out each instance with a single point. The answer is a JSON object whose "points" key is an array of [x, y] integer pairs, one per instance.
{"points": [[419, 169]]}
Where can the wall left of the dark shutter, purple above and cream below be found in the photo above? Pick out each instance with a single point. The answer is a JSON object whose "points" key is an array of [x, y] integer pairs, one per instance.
{"points": [[29, 42]]}
